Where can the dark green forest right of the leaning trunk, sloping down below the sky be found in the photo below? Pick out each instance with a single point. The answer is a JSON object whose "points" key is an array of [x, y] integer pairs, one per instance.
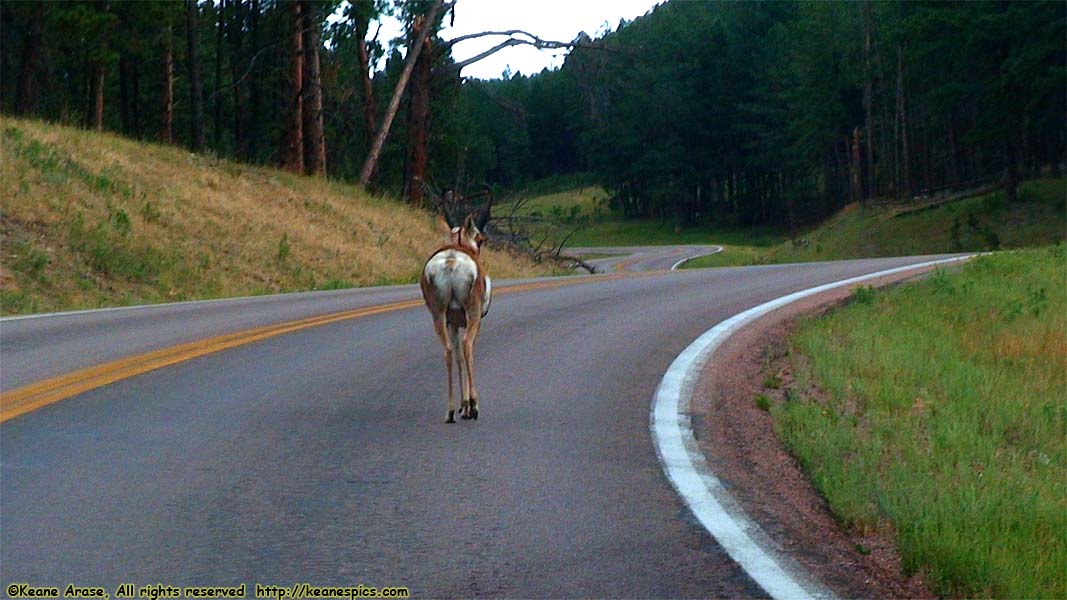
{"points": [[776, 113]]}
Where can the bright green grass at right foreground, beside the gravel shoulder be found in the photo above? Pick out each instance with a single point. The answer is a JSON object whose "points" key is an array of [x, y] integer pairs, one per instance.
{"points": [[945, 419]]}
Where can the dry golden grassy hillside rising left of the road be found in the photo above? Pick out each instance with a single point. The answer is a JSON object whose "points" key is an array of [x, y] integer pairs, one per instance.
{"points": [[91, 219]]}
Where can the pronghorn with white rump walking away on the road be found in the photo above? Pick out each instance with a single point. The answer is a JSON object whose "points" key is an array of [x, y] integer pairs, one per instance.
{"points": [[458, 292]]}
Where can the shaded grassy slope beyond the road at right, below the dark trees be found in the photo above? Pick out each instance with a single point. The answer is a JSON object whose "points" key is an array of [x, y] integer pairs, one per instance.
{"points": [[985, 223]]}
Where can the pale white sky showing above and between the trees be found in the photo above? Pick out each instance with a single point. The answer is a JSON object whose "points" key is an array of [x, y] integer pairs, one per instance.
{"points": [[559, 21]]}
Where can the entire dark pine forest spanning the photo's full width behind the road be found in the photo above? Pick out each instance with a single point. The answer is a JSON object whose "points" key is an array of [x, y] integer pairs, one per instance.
{"points": [[735, 113]]}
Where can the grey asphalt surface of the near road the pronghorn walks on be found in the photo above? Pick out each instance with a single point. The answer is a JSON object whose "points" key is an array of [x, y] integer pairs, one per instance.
{"points": [[323, 455]]}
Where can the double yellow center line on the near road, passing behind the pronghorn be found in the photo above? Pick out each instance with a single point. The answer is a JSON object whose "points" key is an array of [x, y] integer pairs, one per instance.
{"points": [[43, 393]]}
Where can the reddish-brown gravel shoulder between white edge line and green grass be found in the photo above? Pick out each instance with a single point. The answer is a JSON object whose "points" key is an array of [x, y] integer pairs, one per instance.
{"points": [[741, 447]]}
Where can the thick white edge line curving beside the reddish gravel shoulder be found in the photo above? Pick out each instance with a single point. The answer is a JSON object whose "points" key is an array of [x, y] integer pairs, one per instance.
{"points": [[684, 465]]}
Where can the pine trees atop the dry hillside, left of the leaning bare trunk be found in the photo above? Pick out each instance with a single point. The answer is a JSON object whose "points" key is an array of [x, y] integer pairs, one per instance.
{"points": [[266, 82]]}
